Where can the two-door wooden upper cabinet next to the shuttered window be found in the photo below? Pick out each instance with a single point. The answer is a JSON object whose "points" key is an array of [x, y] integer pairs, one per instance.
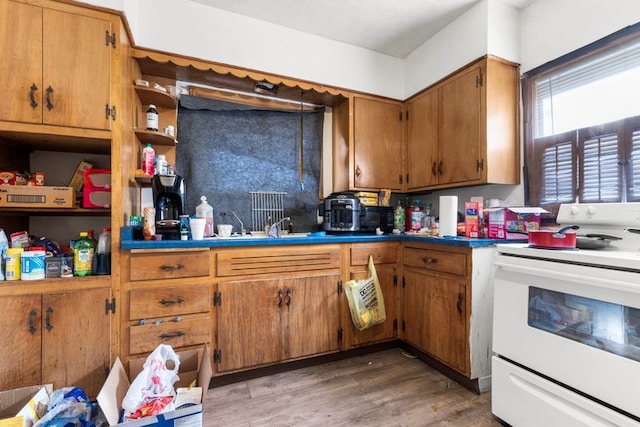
{"points": [[464, 129]]}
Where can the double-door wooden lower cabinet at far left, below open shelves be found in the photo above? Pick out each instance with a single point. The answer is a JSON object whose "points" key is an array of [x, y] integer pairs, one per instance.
{"points": [[60, 338]]}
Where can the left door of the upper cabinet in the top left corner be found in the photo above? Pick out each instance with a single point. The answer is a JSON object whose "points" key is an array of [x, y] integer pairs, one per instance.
{"points": [[21, 65]]}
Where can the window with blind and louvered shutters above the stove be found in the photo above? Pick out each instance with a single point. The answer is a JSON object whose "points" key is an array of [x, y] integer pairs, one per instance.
{"points": [[582, 124]]}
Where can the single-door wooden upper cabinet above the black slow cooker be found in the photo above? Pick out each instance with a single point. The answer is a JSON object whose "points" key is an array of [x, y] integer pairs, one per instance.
{"points": [[368, 148]]}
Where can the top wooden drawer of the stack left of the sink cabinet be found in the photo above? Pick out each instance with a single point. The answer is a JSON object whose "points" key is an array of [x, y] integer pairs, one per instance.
{"points": [[168, 265]]}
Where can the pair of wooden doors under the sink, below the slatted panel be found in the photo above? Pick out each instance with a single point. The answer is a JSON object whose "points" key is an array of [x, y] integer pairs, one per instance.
{"points": [[264, 321]]}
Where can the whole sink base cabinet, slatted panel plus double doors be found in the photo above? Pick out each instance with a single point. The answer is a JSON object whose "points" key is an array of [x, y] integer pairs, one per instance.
{"points": [[276, 304]]}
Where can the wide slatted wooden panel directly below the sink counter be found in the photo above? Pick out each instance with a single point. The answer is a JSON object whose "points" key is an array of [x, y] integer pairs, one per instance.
{"points": [[276, 260]]}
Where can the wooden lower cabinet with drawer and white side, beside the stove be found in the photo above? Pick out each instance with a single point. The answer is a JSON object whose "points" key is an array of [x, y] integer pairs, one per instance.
{"points": [[447, 306]]}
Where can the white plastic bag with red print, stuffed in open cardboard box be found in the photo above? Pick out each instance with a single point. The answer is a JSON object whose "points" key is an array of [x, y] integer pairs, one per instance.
{"points": [[152, 391]]}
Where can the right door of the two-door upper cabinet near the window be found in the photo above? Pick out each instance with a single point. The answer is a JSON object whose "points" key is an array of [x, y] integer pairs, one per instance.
{"points": [[460, 131]]}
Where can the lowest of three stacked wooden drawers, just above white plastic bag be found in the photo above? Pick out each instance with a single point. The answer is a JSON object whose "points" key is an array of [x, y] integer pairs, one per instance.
{"points": [[145, 338]]}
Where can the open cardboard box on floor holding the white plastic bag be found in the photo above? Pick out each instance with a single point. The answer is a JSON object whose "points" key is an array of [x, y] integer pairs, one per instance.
{"points": [[192, 367]]}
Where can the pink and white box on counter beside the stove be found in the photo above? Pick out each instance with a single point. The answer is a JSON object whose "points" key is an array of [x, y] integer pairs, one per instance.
{"points": [[513, 223]]}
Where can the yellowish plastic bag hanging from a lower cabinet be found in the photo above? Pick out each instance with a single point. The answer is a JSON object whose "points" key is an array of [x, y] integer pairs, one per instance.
{"points": [[366, 302]]}
